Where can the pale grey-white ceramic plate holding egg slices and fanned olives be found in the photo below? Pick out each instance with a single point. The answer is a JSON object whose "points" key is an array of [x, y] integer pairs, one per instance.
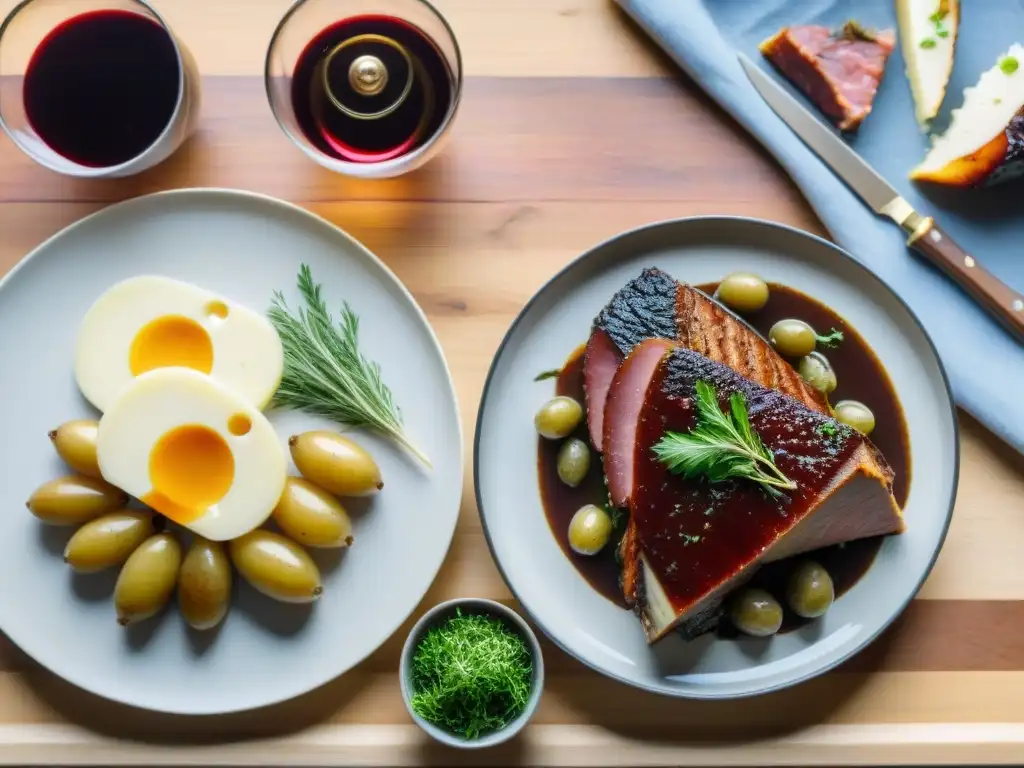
{"points": [[246, 247]]}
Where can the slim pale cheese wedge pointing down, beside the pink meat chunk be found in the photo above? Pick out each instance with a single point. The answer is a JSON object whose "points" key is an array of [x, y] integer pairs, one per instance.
{"points": [[928, 30]]}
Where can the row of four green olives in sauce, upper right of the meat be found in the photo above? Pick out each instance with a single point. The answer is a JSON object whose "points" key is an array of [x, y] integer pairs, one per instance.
{"points": [[793, 338]]}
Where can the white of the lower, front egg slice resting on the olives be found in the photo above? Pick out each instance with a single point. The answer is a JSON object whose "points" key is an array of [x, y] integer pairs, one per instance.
{"points": [[162, 401]]}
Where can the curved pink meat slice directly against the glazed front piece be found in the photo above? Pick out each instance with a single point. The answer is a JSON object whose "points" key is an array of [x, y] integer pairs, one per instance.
{"points": [[622, 413]]}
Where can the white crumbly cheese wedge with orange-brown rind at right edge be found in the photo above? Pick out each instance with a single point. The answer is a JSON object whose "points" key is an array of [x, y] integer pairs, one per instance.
{"points": [[986, 142]]}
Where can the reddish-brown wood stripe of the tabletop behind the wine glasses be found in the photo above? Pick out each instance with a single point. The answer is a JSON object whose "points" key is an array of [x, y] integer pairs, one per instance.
{"points": [[515, 140]]}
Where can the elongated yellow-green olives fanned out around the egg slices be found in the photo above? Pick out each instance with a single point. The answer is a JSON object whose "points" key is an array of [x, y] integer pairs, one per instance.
{"points": [[153, 563]]}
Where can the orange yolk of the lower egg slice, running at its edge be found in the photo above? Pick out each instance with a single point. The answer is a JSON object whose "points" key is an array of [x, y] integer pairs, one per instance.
{"points": [[191, 470]]}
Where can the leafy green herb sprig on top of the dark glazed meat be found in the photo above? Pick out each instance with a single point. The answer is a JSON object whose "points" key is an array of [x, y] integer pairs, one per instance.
{"points": [[722, 447]]}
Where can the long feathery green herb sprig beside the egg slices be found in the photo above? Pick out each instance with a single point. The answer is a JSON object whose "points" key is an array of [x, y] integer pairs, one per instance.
{"points": [[325, 371]]}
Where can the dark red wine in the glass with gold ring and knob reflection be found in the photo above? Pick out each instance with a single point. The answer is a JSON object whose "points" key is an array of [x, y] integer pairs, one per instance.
{"points": [[383, 117]]}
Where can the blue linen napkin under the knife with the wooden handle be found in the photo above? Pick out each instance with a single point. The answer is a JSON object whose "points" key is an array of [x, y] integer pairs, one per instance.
{"points": [[985, 364]]}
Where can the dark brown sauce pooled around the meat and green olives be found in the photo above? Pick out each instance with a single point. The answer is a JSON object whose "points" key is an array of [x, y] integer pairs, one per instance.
{"points": [[861, 377]]}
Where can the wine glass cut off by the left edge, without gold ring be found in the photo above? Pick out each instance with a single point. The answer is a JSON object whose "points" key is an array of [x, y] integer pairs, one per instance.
{"points": [[96, 89]]}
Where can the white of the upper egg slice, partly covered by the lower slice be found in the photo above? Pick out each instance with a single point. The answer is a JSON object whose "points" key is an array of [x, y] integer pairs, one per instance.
{"points": [[248, 356]]}
